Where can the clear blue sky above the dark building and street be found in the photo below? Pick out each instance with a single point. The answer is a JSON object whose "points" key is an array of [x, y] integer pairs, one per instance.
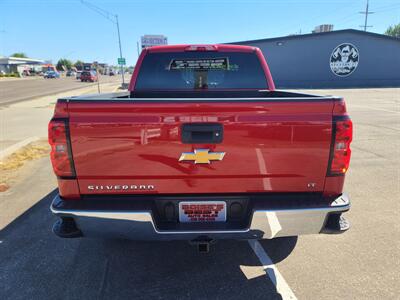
{"points": [[48, 29]]}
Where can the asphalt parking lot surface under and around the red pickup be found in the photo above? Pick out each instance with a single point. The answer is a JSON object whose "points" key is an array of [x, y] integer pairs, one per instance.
{"points": [[362, 263]]}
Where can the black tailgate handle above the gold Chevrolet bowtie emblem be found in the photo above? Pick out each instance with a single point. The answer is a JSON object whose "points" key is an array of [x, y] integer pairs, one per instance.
{"points": [[202, 133]]}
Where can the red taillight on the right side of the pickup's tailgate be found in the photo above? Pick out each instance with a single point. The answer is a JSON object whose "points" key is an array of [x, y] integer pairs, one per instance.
{"points": [[342, 133]]}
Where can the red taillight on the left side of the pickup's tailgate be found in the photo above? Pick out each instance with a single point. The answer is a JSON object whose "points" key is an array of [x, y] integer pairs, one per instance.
{"points": [[61, 157]]}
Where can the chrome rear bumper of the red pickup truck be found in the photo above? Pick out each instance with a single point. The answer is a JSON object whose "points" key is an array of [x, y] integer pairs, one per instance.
{"points": [[265, 224]]}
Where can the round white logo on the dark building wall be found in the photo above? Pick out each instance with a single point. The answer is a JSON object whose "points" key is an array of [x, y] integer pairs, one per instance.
{"points": [[344, 59]]}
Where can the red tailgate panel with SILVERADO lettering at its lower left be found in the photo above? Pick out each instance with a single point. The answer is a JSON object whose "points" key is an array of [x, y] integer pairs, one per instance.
{"points": [[120, 146]]}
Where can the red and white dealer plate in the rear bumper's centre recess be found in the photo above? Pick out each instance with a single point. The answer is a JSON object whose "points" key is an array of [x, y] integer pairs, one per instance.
{"points": [[202, 211]]}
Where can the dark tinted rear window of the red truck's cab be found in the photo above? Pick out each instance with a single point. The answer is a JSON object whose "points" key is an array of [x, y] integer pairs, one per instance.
{"points": [[200, 70]]}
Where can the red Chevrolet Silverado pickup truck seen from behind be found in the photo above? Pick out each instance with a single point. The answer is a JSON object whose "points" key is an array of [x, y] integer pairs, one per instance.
{"points": [[201, 147]]}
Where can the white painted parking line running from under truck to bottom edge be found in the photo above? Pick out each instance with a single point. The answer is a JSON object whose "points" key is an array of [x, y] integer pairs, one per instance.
{"points": [[272, 271]]}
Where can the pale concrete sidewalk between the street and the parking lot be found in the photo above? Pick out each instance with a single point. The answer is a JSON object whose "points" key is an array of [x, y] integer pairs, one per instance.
{"points": [[21, 121]]}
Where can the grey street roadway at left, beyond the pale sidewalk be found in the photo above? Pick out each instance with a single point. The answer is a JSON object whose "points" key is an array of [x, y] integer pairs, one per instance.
{"points": [[23, 89]]}
